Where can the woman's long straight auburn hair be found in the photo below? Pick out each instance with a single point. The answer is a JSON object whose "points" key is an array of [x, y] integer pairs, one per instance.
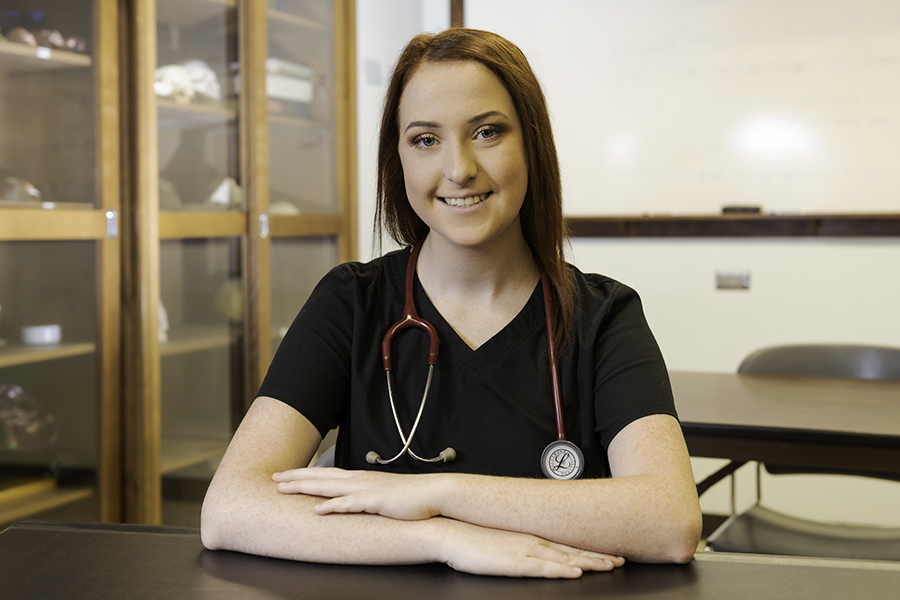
{"points": [[541, 216]]}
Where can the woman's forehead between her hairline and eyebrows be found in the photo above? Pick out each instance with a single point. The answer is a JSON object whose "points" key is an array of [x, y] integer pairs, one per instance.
{"points": [[440, 91]]}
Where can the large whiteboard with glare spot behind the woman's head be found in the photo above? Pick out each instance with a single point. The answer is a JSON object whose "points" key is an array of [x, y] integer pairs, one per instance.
{"points": [[683, 106]]}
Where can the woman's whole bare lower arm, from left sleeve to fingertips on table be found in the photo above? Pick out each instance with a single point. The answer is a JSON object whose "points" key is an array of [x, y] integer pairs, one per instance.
{"points": [[244, 511]]}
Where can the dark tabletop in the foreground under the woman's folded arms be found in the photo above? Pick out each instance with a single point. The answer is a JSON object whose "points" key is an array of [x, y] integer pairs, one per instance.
{"points": [[73, 561]]}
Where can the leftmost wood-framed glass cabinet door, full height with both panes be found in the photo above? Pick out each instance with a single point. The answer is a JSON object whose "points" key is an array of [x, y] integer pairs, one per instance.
{"points": [[59, 261]]}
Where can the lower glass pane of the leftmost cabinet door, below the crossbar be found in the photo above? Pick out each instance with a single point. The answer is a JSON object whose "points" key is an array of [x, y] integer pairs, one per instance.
{"points": [[49, 379]]}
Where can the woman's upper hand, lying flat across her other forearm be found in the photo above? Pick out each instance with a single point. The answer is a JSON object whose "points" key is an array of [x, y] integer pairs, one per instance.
{"points": [[406, 497]]}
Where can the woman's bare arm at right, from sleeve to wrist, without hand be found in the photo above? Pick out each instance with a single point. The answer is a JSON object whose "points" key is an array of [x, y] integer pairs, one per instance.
{"points": [[648, 510]]}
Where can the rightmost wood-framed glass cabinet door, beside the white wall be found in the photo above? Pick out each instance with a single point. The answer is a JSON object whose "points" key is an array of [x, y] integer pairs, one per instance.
{"points": [[307, 100]]}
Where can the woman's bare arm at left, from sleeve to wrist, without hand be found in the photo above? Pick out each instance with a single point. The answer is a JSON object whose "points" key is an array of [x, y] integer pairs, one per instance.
{"points": [[244, 511]]}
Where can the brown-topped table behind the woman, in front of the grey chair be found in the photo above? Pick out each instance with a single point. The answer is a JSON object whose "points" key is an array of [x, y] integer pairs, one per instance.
{"points": [[807, 421]]}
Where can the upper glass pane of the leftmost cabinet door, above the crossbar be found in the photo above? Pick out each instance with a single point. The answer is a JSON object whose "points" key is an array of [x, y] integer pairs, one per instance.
{"points": [[49, 102]]}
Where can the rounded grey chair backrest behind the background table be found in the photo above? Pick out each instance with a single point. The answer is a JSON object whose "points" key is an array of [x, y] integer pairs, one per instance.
{"points": [[825, 360]]}
